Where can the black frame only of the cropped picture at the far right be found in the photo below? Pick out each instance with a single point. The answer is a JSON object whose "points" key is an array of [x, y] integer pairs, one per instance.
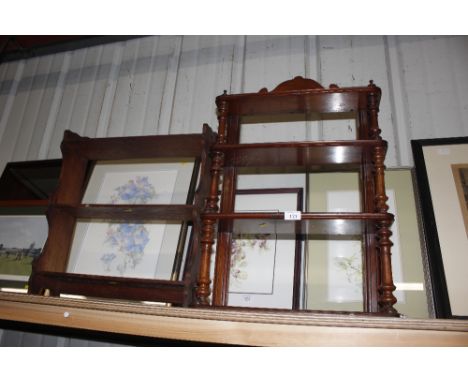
{"points": [[427, 196]]}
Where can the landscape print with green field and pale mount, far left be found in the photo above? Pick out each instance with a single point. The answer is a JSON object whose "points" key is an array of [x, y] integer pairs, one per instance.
{"points": [[21, 241]]}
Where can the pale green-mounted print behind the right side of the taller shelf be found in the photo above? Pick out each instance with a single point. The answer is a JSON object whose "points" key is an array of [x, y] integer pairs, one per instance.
{"points": [[334, 269]]}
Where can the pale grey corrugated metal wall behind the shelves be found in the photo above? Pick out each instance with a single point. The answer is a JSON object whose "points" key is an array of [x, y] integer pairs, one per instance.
{"points": [[167, 85]]}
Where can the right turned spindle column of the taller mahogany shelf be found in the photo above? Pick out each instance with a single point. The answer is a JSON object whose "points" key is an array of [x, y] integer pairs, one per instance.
{"points": [[386, 287]]}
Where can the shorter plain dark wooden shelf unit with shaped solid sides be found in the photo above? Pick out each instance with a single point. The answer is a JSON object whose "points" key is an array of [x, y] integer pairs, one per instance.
{"points": [[50, 275]]}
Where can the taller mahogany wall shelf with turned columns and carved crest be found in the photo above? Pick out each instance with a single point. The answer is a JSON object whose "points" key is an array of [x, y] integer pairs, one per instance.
{"points": [[365, 154]]}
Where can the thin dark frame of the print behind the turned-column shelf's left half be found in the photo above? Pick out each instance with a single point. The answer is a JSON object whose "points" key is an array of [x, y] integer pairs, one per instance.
{"points": [[296, 293]]}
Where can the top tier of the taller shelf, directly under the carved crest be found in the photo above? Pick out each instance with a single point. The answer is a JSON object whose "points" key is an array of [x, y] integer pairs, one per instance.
{"points": [[334, 100]]}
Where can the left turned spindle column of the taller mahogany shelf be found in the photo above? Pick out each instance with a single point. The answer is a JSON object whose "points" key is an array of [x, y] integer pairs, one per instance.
{"points": [[208, 225]]}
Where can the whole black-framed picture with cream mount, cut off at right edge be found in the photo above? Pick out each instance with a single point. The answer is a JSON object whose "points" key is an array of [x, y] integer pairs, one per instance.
{"points": [[441, 169]]}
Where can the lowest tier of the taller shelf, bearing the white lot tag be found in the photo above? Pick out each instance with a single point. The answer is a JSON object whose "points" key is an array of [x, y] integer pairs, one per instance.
{"points": [[311, 223]]}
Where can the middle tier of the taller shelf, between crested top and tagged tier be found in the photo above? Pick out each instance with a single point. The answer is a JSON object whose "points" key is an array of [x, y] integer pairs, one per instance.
{"points": [[314, 156]]}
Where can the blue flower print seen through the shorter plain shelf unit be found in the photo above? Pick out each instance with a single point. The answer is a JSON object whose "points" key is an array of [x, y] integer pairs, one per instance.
{"points": [[136, 249]]}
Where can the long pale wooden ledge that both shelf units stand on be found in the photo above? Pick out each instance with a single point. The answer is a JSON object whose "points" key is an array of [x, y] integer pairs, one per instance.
{"points": [[232, 326]]}
